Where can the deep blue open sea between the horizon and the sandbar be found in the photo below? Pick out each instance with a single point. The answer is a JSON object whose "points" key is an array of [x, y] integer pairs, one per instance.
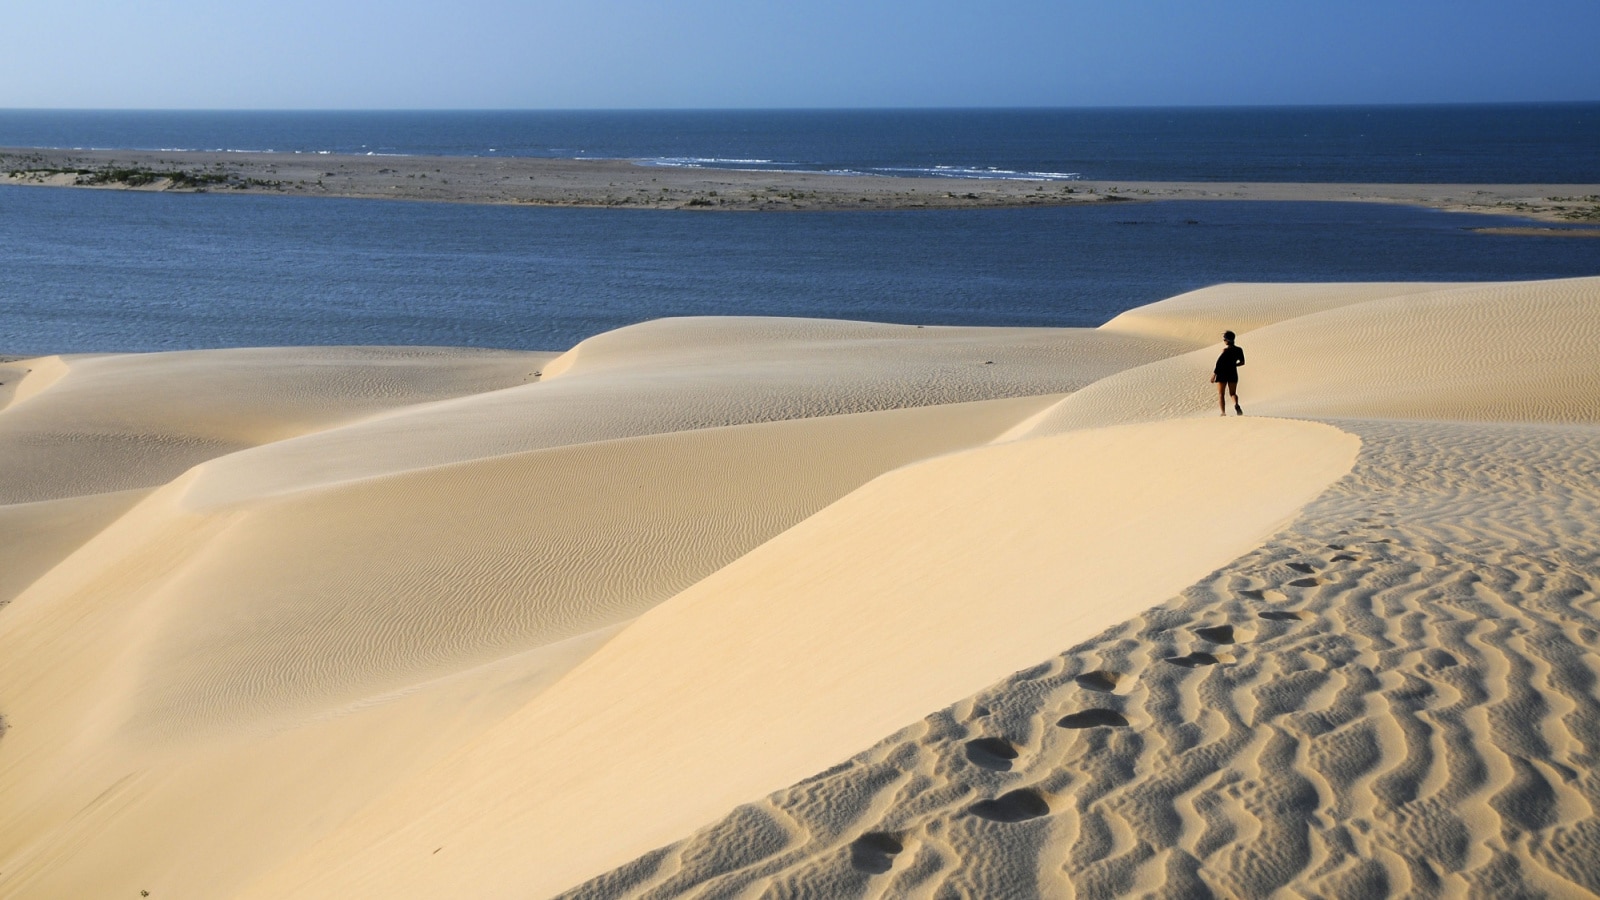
{"points": [[1494, 143]]}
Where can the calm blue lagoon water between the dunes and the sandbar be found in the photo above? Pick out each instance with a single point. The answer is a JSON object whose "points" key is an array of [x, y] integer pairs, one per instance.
{"points": [[127, 271]]}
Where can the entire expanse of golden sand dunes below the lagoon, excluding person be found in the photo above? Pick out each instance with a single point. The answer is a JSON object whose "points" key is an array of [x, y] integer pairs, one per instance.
{"points": [[799, 608]]}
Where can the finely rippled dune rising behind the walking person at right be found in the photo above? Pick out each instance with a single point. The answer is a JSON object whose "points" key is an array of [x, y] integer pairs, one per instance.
{"points": [[1519, 352]]}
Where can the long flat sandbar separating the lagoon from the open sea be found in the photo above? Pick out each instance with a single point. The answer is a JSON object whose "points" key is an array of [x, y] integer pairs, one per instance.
{"points": [[628, 185]]}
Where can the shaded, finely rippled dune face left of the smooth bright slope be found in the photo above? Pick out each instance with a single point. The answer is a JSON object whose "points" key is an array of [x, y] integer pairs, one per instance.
{"points": [[487, 558]]}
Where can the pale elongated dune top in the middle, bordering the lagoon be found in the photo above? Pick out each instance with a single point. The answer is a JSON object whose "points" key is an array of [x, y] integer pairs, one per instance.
{"points": [[692, 374]]}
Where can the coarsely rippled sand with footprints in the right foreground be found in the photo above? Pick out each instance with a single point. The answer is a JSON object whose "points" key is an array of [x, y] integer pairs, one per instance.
{"points": [[1396, 696]]}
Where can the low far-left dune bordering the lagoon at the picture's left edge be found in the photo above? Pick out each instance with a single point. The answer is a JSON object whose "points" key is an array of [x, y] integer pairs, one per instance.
{"points": [[103, 424]]}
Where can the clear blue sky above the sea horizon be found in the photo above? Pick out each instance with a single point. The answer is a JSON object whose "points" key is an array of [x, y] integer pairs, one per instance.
{"points": [[822, 54]]}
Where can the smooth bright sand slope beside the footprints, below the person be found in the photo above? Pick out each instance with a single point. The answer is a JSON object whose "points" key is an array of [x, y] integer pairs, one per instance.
{"points": [[926, 584]]}
